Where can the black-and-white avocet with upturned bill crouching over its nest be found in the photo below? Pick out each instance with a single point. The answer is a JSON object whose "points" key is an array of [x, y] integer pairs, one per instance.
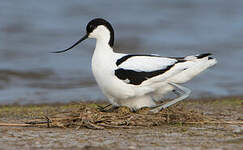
{"points": [[139, 80]]}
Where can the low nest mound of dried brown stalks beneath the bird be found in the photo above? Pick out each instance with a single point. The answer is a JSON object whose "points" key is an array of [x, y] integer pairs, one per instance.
{"points": [[90, 116]]}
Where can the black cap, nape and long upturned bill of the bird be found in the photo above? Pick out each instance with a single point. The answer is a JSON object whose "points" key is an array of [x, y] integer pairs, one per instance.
{"points": [[90, 29]]}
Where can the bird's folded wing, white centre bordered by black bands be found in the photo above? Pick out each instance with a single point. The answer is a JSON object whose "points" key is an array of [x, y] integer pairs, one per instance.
{"points": [[135, 69]]}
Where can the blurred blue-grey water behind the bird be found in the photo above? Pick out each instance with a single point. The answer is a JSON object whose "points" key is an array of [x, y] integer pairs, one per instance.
{"points": [[30, 29]]}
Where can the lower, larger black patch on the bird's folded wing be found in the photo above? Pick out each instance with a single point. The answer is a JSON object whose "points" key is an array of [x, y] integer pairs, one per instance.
{"points": [[136, 78]]}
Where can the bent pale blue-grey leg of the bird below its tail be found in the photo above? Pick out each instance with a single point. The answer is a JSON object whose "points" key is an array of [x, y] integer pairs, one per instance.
{"points": [[182, 92]]}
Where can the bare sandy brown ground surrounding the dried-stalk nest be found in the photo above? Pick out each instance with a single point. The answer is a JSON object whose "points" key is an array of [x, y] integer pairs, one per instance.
{"points": [[164, 136]]}
